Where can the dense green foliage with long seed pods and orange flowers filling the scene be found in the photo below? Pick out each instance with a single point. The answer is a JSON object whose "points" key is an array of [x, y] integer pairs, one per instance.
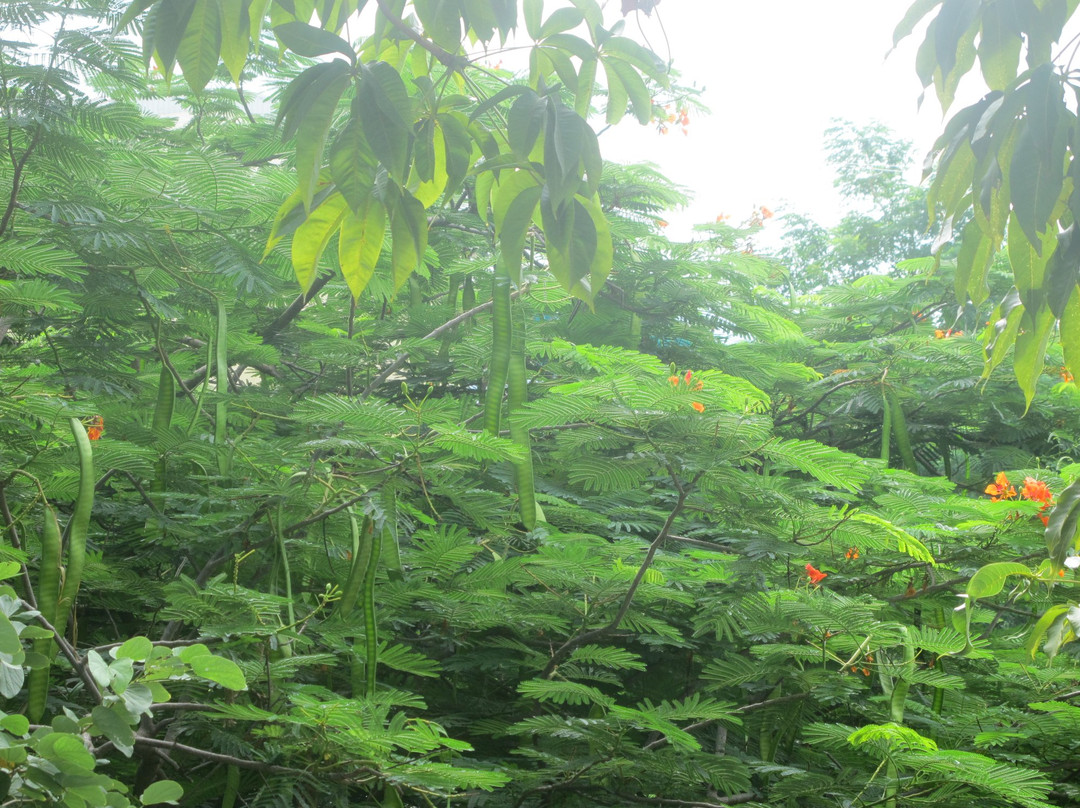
{"points": [[315, 570]]}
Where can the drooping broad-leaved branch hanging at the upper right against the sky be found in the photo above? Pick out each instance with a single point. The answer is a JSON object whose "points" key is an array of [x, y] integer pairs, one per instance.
{"points": [[1008, 161]]}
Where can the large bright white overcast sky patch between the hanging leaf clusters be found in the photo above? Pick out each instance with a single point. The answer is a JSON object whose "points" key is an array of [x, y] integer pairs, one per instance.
{"points": [[776, 73]]}
